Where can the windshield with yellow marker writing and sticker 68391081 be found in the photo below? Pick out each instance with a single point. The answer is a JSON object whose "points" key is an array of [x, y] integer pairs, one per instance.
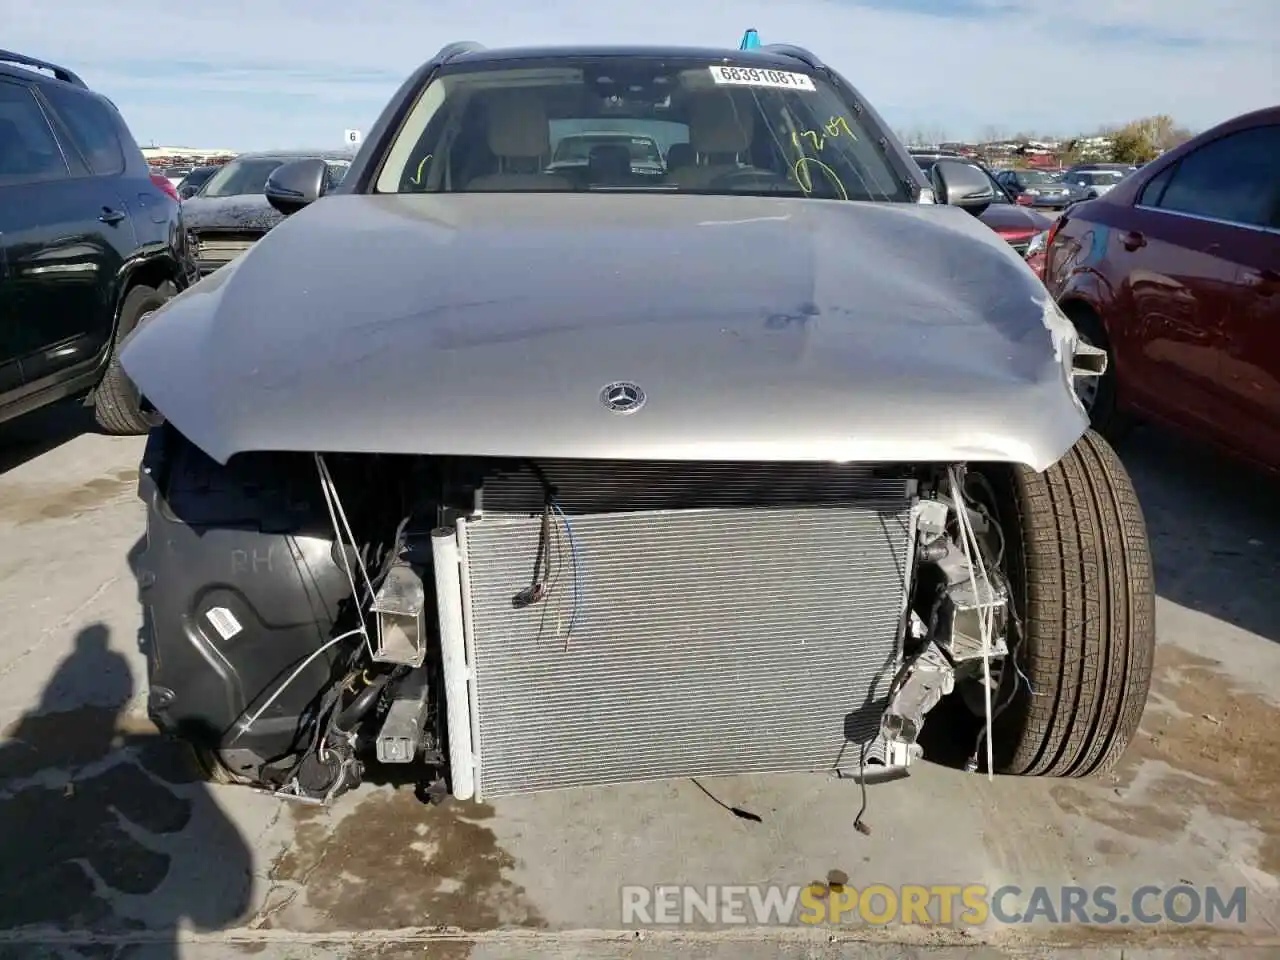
{"points": [[636, 124]]}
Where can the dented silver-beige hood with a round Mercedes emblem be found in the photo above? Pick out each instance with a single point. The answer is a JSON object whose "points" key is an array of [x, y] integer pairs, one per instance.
{"points": [[760, 330]]}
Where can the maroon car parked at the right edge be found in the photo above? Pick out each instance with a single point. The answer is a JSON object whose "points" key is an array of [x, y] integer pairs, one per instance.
{"points": [[1177, 275]]}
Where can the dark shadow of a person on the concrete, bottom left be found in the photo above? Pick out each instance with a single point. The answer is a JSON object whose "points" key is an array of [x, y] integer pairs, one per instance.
{"points": [[109, 834]]}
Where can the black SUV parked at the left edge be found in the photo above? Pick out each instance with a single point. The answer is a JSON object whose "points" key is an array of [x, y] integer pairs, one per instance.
{"points": [[89, 246]]}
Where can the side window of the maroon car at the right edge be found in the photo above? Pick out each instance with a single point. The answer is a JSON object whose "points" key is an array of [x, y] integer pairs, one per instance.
{"points": [[1235, 179]]}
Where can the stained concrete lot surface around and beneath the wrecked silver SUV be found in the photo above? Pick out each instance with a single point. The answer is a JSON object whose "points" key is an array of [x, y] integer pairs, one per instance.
{"points": [[113, 848]]}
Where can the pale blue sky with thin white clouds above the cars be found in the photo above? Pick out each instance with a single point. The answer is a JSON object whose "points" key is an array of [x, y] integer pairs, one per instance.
{"points": [[271, 74]]}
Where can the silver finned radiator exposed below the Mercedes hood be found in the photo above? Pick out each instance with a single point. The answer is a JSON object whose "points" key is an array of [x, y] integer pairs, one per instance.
{"points": [[703, 620]]}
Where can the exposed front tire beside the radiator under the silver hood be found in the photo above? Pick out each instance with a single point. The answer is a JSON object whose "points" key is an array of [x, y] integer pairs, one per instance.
{"points": [[1081, 570]]}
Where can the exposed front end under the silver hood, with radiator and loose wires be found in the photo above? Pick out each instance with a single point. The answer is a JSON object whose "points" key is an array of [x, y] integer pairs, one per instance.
{"points": [[493, 628]]}
